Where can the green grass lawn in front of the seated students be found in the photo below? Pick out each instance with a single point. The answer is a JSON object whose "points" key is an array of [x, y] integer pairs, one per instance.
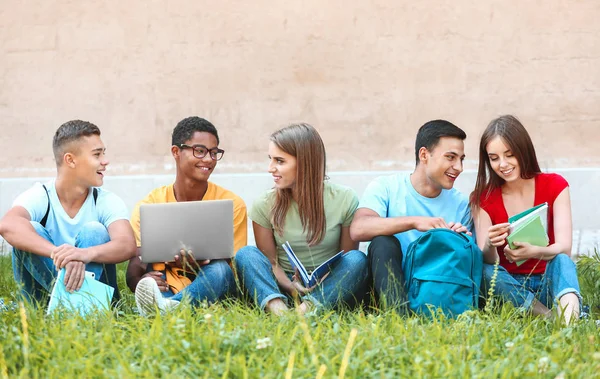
{"points": [[235, 340]]}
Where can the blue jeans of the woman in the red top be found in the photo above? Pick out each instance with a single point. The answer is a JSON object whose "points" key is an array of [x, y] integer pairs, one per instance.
{"points": [[559, 279]]}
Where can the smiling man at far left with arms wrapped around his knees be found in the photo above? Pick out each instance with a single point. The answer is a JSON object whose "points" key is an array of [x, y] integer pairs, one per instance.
{"points": [[68, 222]]}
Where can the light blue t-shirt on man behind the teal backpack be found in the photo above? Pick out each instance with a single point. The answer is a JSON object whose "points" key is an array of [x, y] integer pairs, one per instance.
{"points": [[394, 196]]}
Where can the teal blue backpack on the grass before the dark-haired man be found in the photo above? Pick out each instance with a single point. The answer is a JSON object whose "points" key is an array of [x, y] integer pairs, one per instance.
{"points": [[443, 270]]}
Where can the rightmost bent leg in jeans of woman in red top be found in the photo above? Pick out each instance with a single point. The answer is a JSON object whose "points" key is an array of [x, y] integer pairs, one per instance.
{"points": [[560, 287]]}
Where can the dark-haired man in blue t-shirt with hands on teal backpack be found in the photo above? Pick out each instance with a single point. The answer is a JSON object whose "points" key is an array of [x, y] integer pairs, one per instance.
{"points": [[395, 210]]}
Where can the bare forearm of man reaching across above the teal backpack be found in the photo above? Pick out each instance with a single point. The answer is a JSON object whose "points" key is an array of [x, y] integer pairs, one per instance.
{"points": [[367, 228]]}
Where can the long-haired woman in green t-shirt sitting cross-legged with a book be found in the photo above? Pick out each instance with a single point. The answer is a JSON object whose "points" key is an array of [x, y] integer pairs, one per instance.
{"points": [[314, 216]]}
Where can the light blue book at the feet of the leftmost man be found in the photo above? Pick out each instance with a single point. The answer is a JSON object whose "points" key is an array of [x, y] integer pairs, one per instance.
{"points": [[93, 295]]}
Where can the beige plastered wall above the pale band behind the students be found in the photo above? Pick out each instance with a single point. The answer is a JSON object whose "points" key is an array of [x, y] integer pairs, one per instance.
{"points": [[366, 74]]}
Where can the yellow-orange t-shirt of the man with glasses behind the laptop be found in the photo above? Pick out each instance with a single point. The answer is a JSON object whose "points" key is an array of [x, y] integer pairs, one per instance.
{"points": [[166, 194]]}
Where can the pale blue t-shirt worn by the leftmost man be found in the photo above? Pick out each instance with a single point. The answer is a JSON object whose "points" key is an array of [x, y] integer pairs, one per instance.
{"points": [[61, 227]]}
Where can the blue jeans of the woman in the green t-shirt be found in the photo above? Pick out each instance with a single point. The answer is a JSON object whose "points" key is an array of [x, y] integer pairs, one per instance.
{"points": [[346, 284]]}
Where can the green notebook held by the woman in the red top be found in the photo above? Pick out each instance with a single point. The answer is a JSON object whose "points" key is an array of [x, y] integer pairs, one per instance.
{"points": [[530, 226]]}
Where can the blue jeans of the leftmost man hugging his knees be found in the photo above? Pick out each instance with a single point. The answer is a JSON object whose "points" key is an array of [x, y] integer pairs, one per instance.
{"points": [[35, 274]]}
